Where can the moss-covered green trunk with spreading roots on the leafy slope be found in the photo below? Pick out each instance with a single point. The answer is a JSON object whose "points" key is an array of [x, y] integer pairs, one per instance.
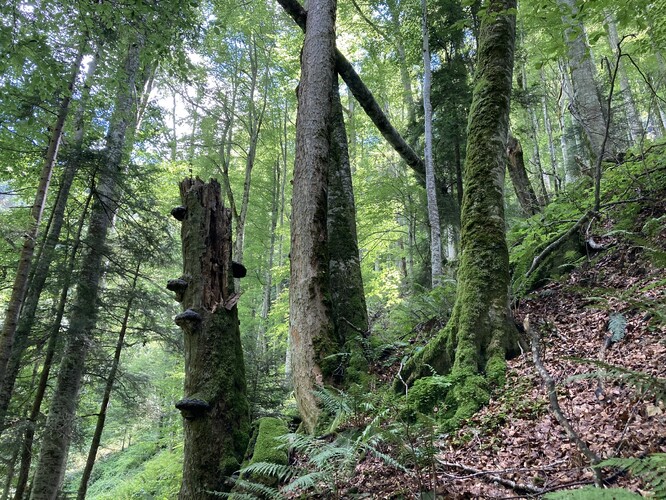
{"points": [[474, 344]]}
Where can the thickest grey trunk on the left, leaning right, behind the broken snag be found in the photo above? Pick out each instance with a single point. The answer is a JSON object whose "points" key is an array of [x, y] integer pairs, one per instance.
{"points": [[62, 412]]}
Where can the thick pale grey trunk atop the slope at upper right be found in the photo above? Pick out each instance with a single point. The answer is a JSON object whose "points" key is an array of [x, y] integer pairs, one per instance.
{"points": [[586, 106]]}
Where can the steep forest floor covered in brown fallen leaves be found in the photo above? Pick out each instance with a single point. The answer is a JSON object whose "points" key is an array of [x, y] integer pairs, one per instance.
{"points": [[516, 440]]}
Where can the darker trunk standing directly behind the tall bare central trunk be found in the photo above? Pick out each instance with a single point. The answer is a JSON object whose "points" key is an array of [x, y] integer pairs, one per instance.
{"points": [[348, 307]]}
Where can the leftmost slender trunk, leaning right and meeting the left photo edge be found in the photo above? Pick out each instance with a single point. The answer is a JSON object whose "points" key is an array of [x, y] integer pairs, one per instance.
{"points": [[20, 286]]}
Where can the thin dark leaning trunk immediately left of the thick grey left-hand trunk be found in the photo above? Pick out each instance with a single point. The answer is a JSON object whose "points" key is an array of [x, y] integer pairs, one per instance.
{"points": [[54, 337]]}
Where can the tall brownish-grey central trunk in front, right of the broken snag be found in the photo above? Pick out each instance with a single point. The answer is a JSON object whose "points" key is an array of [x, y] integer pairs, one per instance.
{"points": [[311, 329]]}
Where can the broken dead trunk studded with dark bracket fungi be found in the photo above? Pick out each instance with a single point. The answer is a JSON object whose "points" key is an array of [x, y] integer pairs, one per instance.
{"points": [[215, 407]]}
